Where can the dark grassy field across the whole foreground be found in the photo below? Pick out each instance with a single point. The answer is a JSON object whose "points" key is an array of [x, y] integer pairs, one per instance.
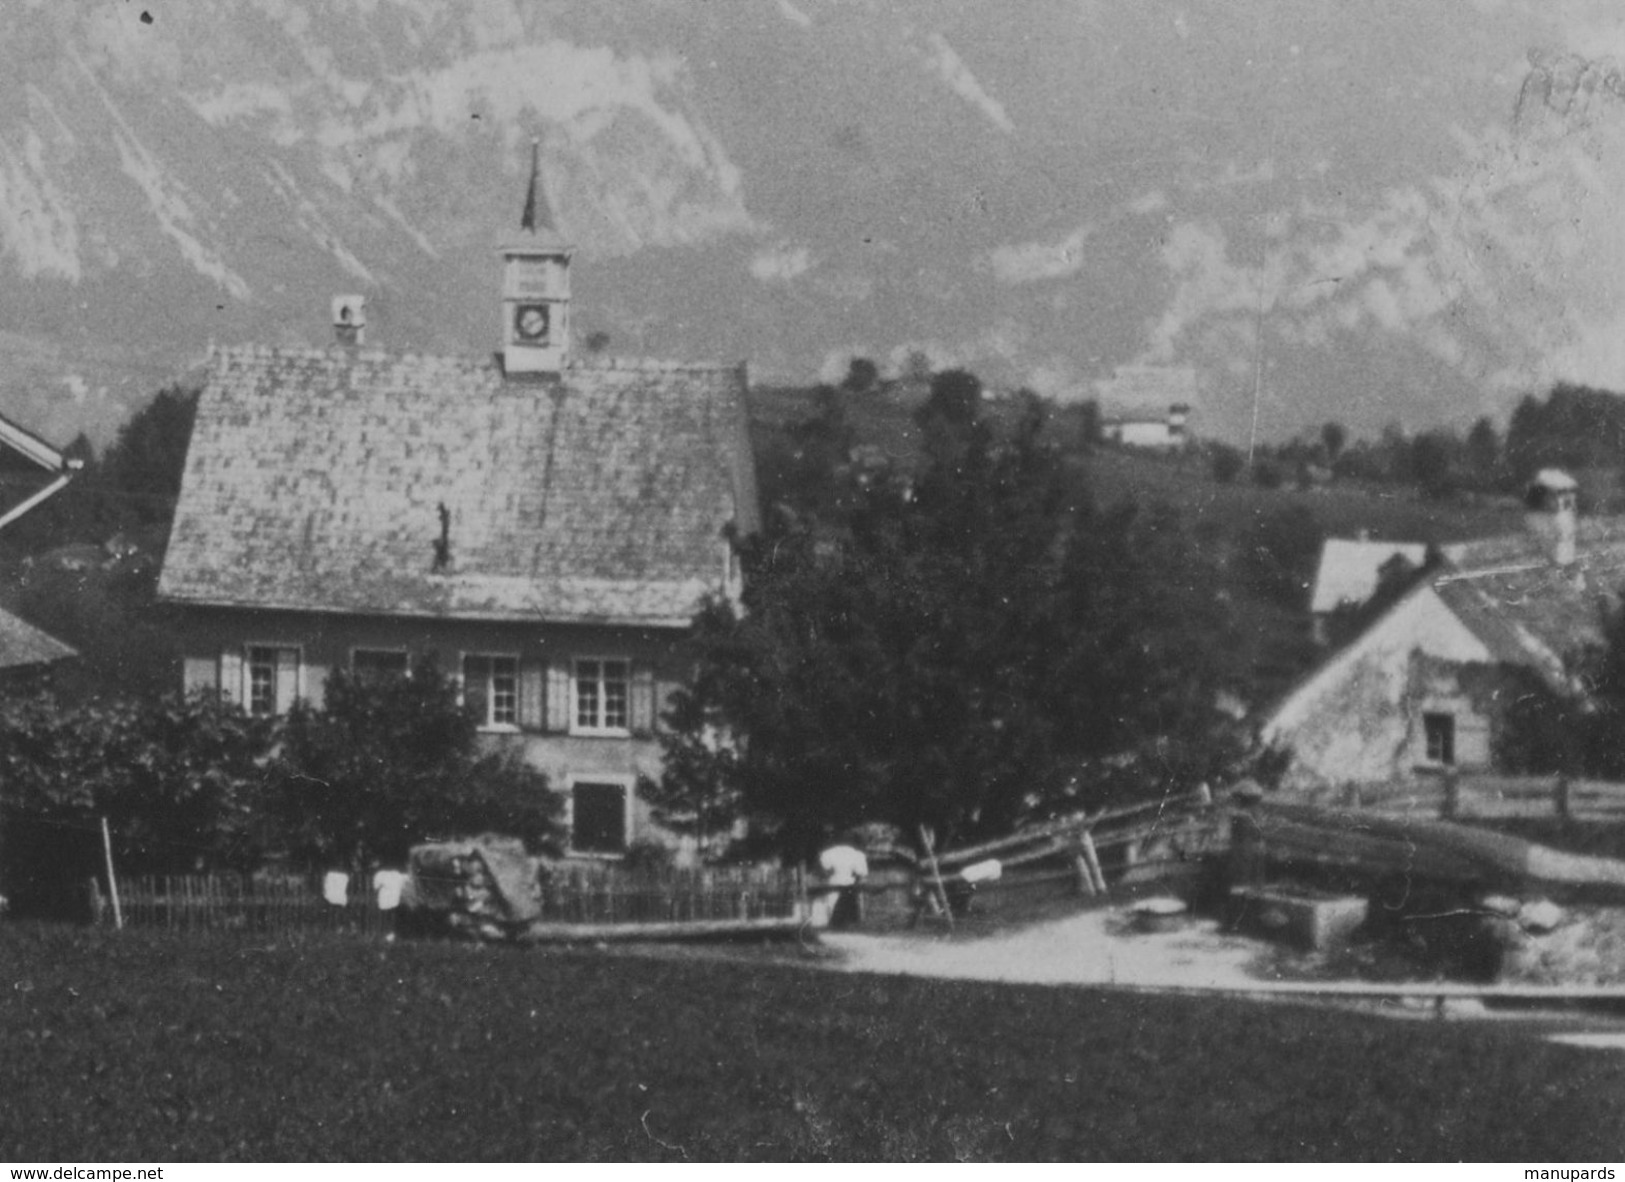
{"points": [[144, 1049]]}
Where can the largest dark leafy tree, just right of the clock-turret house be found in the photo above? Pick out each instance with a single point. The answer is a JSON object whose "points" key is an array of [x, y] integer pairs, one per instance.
{"points": [[961, 651]]}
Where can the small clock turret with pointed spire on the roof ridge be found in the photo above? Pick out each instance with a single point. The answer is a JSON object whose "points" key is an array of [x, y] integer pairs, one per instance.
{"points": [[537, 289]]}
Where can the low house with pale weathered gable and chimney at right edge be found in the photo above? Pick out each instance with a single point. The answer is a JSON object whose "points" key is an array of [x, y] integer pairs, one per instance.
{"points": [[1429, 685]]}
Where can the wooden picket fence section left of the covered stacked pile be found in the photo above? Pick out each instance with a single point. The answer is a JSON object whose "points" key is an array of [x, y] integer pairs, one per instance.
{"points": [[241, 903]]}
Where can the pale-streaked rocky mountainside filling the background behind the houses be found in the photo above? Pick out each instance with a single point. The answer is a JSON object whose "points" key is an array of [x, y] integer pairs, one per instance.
{"points": [[1363, 212]]}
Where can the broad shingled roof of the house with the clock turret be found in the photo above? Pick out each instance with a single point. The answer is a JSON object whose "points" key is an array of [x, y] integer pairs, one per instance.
{"points": [[314, 482]]}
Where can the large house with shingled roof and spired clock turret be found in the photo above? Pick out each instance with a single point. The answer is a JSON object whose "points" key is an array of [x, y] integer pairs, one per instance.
{"points": [[542, 526]]}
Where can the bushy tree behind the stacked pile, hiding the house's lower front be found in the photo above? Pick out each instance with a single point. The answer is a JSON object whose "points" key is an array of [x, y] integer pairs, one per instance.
{"points": [[392, 762]]}
